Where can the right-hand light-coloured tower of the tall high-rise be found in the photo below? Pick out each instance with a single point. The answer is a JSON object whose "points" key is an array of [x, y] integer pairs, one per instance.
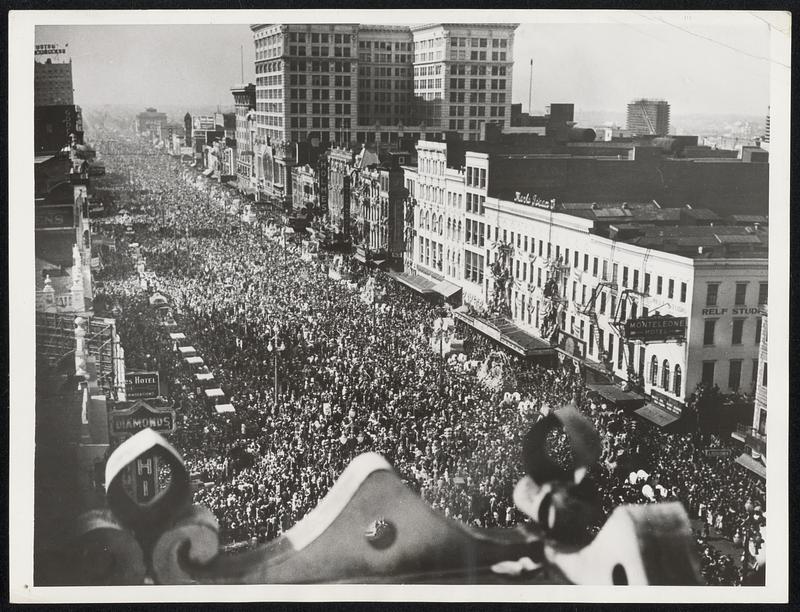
{"points": [[462, 76]]}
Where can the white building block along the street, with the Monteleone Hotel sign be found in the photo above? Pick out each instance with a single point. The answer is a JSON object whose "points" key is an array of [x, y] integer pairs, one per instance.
{"points": [[590, 280]]}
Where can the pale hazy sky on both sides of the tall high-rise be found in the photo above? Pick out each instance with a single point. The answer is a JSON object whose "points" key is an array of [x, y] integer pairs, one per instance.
{"points": [[699, 68]]}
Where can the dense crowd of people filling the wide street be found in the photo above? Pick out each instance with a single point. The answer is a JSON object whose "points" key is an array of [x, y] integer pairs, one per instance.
{"points": [[355, 377]]}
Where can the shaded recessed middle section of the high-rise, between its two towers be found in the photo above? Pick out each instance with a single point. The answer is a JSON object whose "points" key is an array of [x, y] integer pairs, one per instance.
{"points": [[385, 75]]}
